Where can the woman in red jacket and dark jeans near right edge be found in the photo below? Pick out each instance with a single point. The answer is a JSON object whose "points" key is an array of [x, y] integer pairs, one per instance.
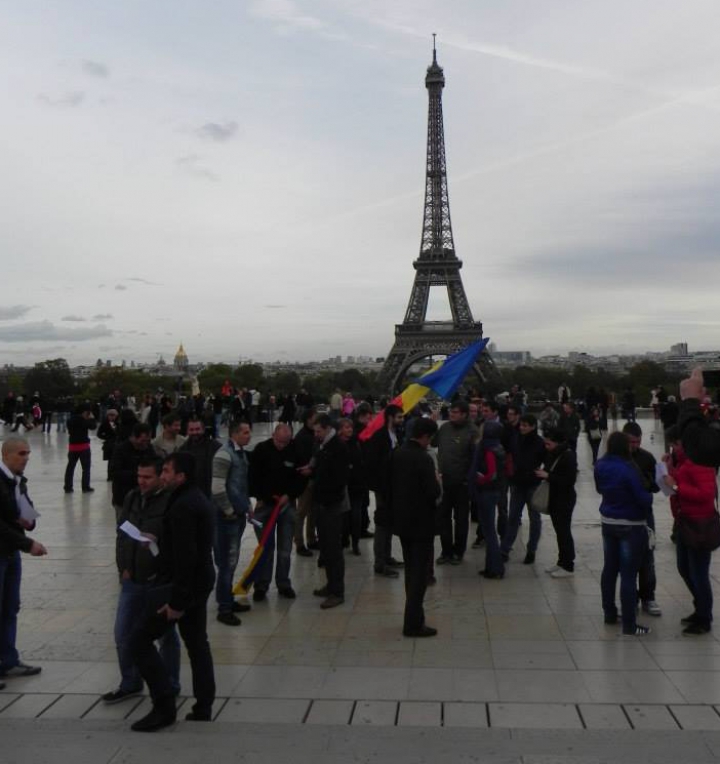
{"points": [[694, 497]]}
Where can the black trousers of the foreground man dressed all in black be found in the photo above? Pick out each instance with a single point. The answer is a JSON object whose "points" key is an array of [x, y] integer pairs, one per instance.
{"points": [[193, 630]]}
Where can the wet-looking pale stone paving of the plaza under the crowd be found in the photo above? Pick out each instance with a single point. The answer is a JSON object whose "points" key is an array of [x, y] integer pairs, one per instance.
{"points": [[521, 668]]}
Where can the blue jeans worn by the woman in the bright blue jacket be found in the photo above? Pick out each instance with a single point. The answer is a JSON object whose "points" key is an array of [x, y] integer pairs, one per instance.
{"points": [[624, 548]]}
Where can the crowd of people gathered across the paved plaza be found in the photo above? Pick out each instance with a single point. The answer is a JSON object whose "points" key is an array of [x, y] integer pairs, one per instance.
{"points": [[183, 499]]}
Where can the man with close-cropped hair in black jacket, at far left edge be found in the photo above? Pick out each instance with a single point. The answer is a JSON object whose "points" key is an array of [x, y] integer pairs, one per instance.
{"points": [[15, 511]]}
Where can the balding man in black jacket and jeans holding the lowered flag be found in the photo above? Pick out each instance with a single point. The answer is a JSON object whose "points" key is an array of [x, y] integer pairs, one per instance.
{"points": [[274, 477]]}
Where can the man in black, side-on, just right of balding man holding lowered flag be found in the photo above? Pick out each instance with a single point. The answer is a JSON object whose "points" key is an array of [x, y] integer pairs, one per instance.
{"points": [[330, 472]]}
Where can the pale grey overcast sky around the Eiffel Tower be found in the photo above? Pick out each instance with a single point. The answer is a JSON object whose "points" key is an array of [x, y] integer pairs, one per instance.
{"points": [[247, 176]]}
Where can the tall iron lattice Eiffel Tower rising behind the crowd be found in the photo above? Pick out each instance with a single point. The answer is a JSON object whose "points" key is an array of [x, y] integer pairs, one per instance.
{"points": [[438, 265]]}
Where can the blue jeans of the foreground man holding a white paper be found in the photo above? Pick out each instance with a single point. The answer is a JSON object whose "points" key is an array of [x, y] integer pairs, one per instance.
{"points": [[131, 611]]}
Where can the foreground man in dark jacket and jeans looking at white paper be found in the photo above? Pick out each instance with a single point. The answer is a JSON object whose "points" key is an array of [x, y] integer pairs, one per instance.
{"points": [[142, 515]]}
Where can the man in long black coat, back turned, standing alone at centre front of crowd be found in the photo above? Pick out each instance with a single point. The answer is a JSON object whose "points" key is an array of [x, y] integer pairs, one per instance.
{"points": [[414, 491]]}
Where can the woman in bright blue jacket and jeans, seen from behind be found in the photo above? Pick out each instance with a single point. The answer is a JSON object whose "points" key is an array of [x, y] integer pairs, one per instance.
{"points": [[624, 511]]}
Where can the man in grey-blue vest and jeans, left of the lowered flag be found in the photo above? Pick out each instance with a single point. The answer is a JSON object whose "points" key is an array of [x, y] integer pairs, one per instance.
{"points": [[232, 502]]}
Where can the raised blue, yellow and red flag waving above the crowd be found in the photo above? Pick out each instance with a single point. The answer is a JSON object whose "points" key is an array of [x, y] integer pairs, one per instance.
{"points": [[443, 378]]}
